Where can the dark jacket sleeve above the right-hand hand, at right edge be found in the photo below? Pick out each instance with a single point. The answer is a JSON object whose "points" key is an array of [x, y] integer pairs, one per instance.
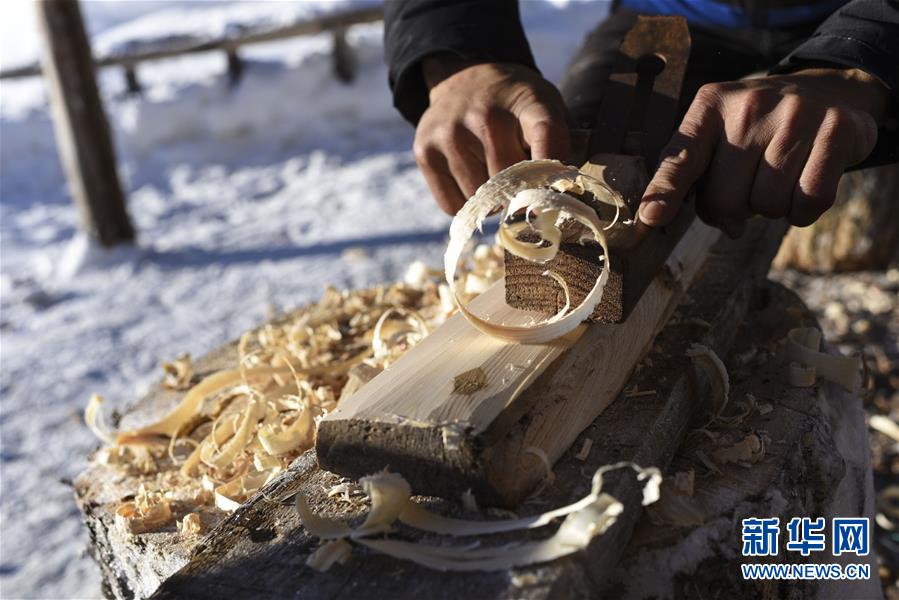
{"points": [[863, 34]]}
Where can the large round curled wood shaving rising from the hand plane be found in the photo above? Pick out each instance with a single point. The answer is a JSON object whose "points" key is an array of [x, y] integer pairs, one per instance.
{"points": [[525, 187]]}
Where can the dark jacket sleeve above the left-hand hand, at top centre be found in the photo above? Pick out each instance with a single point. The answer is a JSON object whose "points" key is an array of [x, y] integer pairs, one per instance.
{"points": [[472, 29]]}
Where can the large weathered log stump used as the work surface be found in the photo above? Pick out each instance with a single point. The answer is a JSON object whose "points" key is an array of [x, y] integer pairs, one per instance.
{"points": [[259, 550]]}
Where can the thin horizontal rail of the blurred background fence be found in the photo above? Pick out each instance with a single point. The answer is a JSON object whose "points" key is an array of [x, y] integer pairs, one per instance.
{"points": [[170, 48]]}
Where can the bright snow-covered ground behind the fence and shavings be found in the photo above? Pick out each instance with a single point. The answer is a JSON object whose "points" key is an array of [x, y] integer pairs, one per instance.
{"points": [[246, 201]]}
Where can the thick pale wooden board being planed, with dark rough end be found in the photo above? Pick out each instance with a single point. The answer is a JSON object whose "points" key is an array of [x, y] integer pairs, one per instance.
{"points": [[409, 419]]}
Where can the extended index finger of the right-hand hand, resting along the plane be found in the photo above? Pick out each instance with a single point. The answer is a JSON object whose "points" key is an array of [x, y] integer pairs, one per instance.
{"points": [[683, 160]]}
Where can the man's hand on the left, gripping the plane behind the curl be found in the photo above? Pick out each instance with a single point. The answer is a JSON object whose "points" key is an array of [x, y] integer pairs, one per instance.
{"points": [[483, 118]]}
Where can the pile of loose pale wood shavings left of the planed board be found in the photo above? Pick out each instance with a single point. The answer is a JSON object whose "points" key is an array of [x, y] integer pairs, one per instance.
{"points": [[235, 430]]}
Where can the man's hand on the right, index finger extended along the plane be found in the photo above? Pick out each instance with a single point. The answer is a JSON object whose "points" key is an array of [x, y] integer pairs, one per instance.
{"points": [[774, 146]]}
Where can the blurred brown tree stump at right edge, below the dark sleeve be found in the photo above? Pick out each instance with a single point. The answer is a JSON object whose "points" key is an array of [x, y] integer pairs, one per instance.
{"points": [[860, 232]]}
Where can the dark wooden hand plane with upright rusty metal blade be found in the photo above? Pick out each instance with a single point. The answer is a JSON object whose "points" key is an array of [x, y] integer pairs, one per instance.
{"points": [[636, 118]]}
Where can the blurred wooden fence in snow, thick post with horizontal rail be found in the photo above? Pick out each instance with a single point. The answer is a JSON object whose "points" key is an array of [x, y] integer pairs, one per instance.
{"points": [[82, 131]]}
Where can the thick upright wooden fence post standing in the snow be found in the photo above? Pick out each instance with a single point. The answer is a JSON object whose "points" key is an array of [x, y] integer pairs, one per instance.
{"points": [[82, 131]]}
